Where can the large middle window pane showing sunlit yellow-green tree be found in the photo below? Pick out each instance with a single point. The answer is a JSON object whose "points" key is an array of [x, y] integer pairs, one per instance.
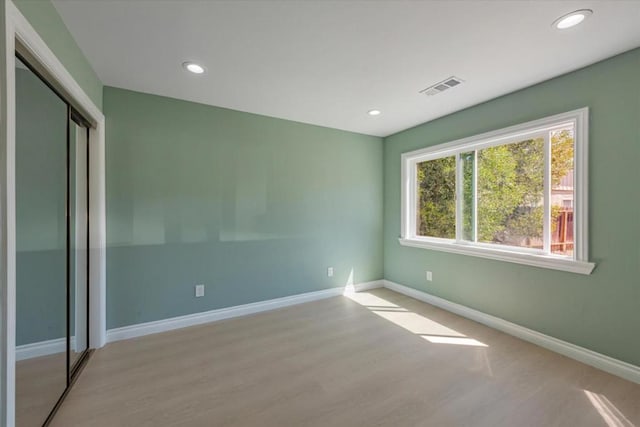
{"points": [[510, 194]]}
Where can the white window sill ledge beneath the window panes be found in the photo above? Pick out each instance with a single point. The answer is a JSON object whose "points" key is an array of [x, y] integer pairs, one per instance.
{"points": [[541, 261]]}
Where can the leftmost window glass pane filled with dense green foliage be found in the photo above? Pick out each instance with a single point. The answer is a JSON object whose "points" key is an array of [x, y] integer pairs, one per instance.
{"points": [[436, 198]]}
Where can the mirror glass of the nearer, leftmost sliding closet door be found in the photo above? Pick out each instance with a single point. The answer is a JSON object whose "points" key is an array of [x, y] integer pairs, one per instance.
{"points": [[41, 289]]}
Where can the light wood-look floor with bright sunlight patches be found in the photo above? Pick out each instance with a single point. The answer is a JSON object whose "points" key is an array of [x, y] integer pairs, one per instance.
{"points": [[376, 359]]}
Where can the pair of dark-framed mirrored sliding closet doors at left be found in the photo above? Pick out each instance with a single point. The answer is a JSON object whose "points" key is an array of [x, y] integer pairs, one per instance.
{"points": [[52, 229]]}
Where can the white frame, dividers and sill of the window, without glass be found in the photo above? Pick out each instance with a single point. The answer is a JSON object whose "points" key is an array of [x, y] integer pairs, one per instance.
{"points": [[579, 263]]}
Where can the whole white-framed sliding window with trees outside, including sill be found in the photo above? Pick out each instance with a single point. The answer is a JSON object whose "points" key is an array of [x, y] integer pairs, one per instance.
{"points": [[517, 194]]}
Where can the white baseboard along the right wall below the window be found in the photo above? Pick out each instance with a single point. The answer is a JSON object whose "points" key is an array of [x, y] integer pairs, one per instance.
{"points": [[608, 364]]}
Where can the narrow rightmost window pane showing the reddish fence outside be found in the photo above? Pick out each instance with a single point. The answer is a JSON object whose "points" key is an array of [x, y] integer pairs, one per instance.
{"points": [[562, 147]]}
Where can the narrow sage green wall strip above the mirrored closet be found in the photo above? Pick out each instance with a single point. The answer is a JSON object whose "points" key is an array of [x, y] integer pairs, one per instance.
{"points": [[44, 17]]}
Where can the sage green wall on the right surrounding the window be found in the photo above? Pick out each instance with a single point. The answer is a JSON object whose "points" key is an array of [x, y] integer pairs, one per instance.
{"points": [[601, 311]]}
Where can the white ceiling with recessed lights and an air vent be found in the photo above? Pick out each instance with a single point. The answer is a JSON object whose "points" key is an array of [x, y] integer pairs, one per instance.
{"points": [[329, 62]]}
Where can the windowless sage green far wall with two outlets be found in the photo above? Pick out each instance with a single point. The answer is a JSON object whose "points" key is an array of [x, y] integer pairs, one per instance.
{"points": [[253, 207]]}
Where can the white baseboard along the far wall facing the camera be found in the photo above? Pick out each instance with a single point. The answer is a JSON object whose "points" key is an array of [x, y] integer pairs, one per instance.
{"points": [[164, 325]]}
